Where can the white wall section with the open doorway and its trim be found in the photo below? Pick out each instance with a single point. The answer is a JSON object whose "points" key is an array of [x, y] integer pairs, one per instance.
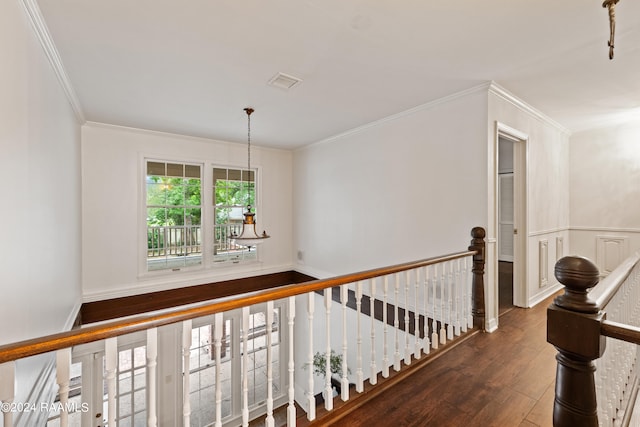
{"points": [[547, 195]]}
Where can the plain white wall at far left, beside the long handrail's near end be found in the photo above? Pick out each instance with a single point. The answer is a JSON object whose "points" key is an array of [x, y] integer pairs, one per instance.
{"points": [[40, 254]]}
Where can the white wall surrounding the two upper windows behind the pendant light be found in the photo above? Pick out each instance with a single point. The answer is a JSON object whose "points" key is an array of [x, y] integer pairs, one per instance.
{"points": [[112, 170]]}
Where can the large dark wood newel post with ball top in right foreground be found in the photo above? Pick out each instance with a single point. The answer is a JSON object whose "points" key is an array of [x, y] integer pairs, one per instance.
{"points": [[573, 327]]}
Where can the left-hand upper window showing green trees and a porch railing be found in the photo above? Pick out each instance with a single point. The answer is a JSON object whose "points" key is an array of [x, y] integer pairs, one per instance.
{"points": [[174, 212]]}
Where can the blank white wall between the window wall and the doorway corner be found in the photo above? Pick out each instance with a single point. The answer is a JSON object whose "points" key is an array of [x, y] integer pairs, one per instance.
{"points": [[402, 189]]}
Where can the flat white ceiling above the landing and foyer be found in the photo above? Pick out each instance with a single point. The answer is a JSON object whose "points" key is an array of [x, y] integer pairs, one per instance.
{"points": [[190, 67]]}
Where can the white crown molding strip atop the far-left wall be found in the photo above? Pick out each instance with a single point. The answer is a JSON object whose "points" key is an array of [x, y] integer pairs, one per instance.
{"points": [[44, 37]]}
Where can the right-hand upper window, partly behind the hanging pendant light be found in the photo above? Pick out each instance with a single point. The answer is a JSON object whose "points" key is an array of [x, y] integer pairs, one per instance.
{"points": [[233, 190]]}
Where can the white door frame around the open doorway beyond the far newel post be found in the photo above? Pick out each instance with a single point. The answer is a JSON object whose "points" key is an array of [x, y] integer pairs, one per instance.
{"points": [[520, 221]]}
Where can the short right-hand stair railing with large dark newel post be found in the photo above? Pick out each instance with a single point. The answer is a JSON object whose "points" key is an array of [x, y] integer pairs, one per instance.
{"points": [[594, 387]]}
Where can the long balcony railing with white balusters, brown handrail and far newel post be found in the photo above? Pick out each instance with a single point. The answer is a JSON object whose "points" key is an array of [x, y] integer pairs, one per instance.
{"points": [[429, 303]]}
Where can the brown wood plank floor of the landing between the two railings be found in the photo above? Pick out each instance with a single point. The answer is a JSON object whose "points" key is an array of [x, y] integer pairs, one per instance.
{"points": [[502, 379]]}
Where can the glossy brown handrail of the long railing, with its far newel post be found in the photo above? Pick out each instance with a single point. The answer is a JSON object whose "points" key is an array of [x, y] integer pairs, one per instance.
{"points": [[45, 344]]}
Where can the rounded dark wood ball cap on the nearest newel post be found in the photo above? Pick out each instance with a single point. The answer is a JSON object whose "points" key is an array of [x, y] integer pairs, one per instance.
{"points": [[578, 275]]}
